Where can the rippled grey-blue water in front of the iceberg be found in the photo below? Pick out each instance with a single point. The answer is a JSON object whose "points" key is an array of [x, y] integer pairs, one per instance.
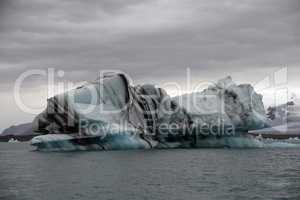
{"points": [[262, 173]]}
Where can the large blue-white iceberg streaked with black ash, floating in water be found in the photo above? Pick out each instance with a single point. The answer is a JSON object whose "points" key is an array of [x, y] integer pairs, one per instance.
{"points": [[111, 114]]}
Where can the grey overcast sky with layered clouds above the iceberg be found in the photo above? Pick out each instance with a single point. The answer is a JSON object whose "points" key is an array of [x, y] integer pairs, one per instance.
{"points": [[152, 40]]}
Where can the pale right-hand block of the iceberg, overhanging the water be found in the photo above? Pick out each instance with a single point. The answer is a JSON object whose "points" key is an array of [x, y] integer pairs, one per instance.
{"points": [[226, 104]]}
